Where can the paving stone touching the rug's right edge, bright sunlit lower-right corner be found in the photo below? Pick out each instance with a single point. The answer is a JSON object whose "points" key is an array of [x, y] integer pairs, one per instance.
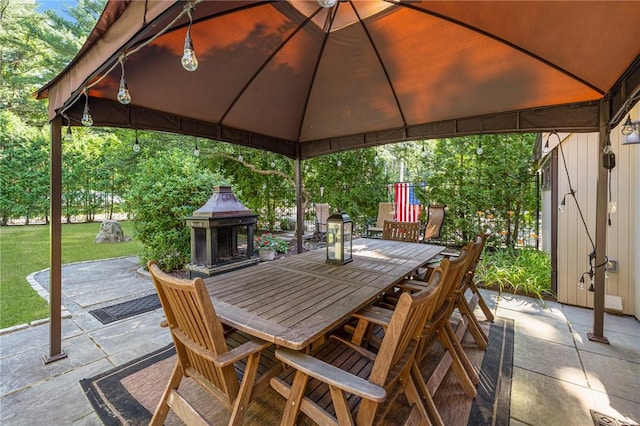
{"points": [[535, 355]]}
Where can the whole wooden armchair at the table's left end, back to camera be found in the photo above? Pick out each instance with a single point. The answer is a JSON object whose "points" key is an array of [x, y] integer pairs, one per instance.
{"points": [[205, 354]]}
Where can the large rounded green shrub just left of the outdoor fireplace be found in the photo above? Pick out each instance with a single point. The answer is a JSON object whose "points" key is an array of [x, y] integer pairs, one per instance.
{"points": [[166, 189]]}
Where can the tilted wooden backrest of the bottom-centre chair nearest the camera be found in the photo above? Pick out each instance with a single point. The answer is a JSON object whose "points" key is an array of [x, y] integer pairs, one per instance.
{"points": [[400, 341]]}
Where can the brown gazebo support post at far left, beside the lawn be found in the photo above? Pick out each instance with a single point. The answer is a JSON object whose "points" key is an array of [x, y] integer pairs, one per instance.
{"points": [[55, 246]]}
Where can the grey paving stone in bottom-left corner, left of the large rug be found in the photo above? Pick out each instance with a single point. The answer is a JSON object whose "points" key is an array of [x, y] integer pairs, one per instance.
{"points": [[52, 402]]}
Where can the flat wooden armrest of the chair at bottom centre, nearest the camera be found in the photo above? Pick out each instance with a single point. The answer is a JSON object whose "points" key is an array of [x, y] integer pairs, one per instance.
{"points": [[331, 375]]}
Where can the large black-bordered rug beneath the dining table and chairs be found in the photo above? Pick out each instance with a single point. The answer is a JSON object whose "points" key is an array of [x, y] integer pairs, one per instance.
{"points": [[128, 394]]}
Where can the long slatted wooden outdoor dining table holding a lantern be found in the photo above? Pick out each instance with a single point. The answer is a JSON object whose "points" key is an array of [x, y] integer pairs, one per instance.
{"points": [[296, 300]]}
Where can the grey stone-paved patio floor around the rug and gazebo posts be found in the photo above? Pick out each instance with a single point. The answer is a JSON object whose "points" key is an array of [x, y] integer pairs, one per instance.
{"points": [[558, 374]]}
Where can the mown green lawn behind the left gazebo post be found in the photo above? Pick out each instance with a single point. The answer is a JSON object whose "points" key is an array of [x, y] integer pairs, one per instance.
{"points": [[25, 249]]}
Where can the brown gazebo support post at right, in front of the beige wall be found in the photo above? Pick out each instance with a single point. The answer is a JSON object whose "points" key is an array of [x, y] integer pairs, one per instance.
{"points": [[597, 335]]}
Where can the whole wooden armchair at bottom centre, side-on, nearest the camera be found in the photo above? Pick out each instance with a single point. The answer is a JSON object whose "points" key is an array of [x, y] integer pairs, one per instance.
{"points": [[341, 380]]}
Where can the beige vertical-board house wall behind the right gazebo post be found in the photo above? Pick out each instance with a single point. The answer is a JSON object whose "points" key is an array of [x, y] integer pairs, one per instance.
{"points": [[623, 236]]}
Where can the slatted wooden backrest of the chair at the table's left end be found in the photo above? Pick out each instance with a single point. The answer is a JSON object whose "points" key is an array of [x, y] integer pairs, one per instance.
{"points": [[195, 328]]}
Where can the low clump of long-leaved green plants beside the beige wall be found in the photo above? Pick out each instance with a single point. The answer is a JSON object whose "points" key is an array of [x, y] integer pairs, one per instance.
{"points": [[519, 270]]}
